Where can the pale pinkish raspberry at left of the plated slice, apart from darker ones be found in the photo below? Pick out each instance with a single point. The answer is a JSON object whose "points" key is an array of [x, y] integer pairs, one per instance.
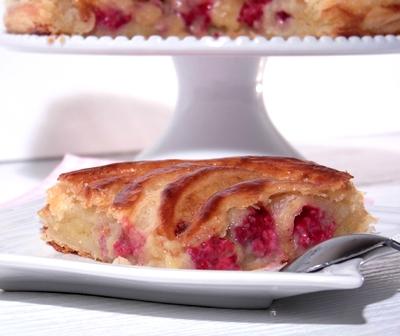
{"points": [[130, 242]]}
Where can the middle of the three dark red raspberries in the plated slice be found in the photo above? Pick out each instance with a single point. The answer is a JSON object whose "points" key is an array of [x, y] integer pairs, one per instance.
{"points": [[257, 231]]}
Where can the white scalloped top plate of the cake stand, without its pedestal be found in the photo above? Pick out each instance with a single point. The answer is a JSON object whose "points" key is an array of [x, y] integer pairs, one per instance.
{"points": [[174, 46]]}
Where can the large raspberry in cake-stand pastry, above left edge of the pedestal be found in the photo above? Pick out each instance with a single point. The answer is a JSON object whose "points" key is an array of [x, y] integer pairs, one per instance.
{"points": [[196, 14]]}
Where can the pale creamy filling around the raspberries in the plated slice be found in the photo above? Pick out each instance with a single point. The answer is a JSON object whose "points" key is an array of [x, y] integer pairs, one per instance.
{"points": [[94, 233]]}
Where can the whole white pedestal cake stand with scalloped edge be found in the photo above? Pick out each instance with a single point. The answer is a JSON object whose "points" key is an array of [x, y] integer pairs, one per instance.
{"points": [[220, 109]]}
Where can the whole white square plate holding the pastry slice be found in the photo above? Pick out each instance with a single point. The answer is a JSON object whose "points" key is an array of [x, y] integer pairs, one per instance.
{"points": [[28, 264]]}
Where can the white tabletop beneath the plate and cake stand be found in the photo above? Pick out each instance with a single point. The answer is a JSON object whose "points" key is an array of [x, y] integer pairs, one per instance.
{"points": [[369, 310]]}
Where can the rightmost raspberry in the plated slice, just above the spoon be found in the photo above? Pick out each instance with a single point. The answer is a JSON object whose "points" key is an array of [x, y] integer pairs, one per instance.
{"points": [[311, 227]]}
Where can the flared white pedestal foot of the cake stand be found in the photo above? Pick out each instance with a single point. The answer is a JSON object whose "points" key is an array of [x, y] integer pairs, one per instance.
{"points": [[220, 111]]}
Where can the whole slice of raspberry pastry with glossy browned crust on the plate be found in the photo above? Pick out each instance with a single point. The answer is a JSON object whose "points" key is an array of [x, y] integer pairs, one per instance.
{"points": [[229, 213]]}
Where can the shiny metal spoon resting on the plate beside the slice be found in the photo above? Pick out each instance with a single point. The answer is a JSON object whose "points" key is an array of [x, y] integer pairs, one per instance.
{"points": [[343, 248]]}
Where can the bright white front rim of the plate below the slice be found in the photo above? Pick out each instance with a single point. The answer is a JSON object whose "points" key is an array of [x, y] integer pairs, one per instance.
{"points": [[210, 278]]}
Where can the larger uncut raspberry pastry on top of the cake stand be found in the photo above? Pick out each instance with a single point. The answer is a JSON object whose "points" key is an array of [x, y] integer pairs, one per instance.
{"points": [[204, 17]]}
